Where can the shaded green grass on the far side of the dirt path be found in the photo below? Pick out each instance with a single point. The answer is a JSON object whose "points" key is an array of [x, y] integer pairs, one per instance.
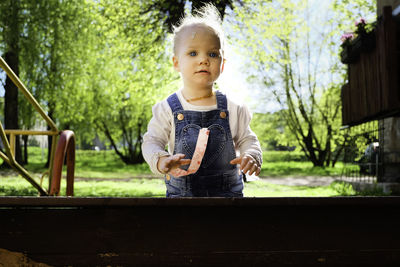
{"points": [[106, 164]]}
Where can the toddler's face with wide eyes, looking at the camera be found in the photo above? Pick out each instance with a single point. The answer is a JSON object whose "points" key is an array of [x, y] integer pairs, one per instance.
{"points": [[198, 57]]}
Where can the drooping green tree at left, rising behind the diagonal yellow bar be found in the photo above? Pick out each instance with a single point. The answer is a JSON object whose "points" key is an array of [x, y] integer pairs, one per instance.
{"points": [[55, 48]]}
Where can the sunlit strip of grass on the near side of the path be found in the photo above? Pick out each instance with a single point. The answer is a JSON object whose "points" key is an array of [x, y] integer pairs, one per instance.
{"points": [[16, 186]]}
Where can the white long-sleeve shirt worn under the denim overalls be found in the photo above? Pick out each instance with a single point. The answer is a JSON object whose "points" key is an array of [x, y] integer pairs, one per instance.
{"points": [[161, 131]]}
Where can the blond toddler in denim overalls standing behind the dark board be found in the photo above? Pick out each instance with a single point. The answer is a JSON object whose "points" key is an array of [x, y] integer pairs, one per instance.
{"points": [[202, 127]]}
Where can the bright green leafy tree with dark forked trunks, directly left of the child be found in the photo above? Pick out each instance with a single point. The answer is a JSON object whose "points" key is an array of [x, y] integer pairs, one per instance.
{"points": [[130, 74]]}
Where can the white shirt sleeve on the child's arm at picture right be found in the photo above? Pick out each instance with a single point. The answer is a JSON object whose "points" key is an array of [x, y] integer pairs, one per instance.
{"points": [[247, 141]]}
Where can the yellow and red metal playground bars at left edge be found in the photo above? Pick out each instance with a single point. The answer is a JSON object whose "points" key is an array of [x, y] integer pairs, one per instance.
{"points": [[65, 148]]}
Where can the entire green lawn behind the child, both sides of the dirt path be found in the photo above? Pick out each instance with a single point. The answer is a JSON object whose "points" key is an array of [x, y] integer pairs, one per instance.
{"points": [[101, 173]]}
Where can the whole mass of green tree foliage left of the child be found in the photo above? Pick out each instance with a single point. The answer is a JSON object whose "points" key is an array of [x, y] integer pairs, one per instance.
{"points": [[95, 66]]}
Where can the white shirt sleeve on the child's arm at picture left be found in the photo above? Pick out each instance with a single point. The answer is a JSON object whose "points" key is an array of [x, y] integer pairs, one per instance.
{"points": [[157, 135]]}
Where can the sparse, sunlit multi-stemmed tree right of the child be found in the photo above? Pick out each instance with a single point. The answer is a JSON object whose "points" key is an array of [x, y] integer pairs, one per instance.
{"points": [[297, 59]]}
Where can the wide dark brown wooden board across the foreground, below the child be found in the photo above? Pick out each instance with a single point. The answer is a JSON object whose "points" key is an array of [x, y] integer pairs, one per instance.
{"points": [[203, 232]]}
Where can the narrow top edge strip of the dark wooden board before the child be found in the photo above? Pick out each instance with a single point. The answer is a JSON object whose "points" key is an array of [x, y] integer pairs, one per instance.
{"points": [[12, 202]]}
